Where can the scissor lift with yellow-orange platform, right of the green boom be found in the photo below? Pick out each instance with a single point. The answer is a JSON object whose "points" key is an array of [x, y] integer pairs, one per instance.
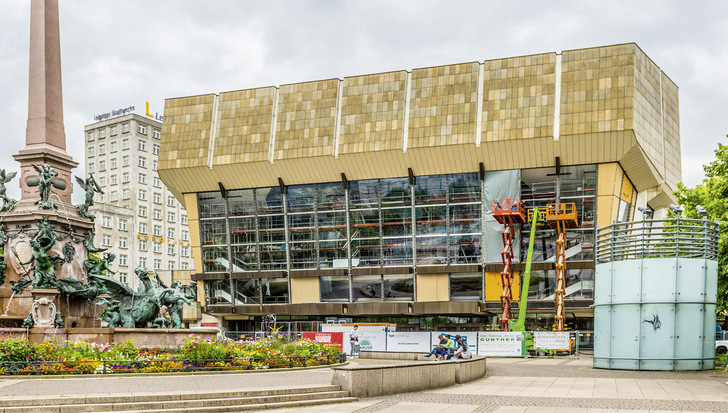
{"points": [[561, 216]]}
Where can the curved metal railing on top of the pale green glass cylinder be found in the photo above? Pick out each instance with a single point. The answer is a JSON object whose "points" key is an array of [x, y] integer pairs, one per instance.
{"points": [[658, 238]]}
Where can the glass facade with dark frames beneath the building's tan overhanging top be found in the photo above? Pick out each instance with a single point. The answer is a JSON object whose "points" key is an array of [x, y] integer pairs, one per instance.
{"points": [[378, 223]]}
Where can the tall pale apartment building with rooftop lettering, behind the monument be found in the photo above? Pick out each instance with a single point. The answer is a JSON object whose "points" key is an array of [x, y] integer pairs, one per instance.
{"points": [[137, 218]]}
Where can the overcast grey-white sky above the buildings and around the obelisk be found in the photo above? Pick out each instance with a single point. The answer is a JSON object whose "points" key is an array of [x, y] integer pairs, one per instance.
{"points": [[120, 53]]}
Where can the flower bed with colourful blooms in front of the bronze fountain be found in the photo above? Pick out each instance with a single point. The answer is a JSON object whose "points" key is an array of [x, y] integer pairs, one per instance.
{"points": [[19, 356]]}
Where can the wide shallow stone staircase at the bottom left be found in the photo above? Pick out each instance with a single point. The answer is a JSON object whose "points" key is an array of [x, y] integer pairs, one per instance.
{"points": [[221, 401]]}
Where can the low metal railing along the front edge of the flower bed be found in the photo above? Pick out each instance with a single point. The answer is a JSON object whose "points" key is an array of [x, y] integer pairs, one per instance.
{"points": [[88, 366]]}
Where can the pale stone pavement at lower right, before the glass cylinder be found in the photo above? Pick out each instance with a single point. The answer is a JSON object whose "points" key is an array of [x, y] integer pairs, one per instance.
{"points": [[558, 386]]}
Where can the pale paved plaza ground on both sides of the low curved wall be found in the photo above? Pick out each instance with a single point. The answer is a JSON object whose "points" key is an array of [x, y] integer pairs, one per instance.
{"points": [[512, 385]]}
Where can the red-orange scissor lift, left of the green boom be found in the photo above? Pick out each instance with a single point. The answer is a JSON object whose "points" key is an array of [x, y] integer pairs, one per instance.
{"points": [[507, 211]]}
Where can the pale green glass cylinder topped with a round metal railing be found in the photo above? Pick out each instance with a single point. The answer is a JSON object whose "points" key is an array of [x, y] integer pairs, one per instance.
{"points": [[655, 295]]}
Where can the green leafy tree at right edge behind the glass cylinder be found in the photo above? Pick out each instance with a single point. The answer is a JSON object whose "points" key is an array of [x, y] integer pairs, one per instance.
{"points": [[712, 195]]}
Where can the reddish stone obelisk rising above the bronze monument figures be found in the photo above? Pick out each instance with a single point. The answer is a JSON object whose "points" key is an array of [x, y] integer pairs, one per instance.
{"points": [[45, 138]]}
